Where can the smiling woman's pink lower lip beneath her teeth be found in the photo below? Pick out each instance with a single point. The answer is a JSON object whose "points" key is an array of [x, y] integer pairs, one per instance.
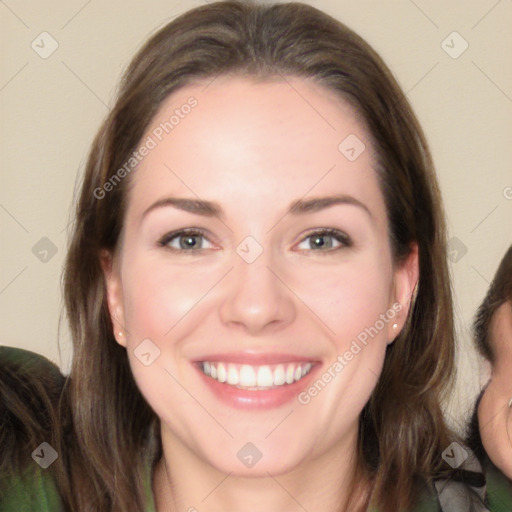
{"points": [[266, 399]]}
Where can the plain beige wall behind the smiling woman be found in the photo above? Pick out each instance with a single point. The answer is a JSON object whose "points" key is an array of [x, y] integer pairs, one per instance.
{"points": [[52, 104]]}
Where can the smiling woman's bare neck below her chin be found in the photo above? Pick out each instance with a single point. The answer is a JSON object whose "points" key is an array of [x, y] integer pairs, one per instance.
{"points": [[184, 482]]}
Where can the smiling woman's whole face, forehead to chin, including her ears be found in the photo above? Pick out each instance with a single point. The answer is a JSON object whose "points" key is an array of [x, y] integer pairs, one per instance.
{"points": [[296, 321]]}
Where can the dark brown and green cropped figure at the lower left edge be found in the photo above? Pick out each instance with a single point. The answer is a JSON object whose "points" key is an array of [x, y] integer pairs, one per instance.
{"points": [[30, 392]]}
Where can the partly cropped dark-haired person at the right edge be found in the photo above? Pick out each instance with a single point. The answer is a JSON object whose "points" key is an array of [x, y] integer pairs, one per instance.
{"points": [[491, 427]]}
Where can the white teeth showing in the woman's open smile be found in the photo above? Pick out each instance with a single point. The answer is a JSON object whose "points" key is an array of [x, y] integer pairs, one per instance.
{"points": [[255, 377]]}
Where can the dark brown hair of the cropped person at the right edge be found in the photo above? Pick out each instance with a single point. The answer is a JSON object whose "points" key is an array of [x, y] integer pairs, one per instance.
{"points": [[498, 293]]}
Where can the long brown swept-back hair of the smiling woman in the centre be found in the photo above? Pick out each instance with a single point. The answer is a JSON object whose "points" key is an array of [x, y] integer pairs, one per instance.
{"points": [[402, 430]]}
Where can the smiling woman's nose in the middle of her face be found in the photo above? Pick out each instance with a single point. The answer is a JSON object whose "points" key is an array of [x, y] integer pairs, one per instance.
{"points": [[257, 297]]}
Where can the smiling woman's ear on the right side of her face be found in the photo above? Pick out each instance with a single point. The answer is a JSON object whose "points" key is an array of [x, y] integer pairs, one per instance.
{"points": [[405, 281]]}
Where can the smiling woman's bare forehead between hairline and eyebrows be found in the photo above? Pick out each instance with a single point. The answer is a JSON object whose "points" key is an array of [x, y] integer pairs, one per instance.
{"points": [[255, 144]]}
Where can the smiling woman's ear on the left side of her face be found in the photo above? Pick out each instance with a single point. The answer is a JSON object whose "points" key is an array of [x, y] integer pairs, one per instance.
{"points": [[114, 295]]}
